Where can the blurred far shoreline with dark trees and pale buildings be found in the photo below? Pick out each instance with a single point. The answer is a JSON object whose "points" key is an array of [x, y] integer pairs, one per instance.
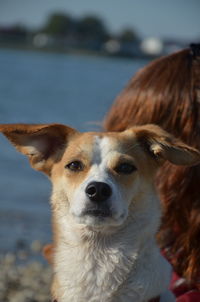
{"points": [[63, 32]]}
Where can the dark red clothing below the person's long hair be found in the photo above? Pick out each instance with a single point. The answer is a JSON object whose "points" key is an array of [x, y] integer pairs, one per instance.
{"points": [[183, 291]]}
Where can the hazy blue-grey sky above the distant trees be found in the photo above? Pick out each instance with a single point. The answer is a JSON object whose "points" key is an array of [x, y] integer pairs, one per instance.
{"points": [[158, 18]]}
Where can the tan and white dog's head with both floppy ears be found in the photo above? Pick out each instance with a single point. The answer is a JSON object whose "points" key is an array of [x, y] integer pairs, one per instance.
{"points": [[98, 177]]}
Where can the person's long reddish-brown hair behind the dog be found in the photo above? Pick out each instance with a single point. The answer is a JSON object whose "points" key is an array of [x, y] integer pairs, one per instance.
{"points": [[167, 92]]}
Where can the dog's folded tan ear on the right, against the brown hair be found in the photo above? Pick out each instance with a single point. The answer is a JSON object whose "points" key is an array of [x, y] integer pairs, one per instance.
{"points": [[163, 146]]}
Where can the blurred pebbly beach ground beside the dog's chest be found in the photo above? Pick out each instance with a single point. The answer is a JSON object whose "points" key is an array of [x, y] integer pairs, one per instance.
{"points": [[24, 275]]}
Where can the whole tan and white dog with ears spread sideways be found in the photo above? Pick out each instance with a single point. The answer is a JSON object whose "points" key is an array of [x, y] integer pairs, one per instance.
{"points": [[105, 209]]}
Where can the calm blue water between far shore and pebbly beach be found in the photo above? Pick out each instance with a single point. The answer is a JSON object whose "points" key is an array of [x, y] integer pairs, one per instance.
{"points": [[44, 88]]}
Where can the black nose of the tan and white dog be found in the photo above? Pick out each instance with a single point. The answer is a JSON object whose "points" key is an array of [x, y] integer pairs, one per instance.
{"points": [[98, 191]]}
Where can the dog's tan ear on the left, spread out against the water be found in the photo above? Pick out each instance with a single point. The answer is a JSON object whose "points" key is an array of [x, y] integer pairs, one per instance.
{"points": [[43, 144]]}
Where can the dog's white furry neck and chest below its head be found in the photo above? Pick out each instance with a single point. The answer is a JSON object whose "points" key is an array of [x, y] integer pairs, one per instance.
{"points": [[91, 262]]}
